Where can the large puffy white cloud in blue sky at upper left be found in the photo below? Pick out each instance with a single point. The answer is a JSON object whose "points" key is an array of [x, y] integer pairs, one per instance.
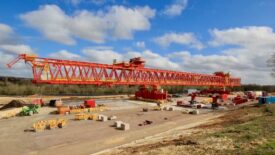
{"points": [[118, 22]]}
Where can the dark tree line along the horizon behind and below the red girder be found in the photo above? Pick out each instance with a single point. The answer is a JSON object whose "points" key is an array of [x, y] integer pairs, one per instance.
{"points": [[23, 86]]}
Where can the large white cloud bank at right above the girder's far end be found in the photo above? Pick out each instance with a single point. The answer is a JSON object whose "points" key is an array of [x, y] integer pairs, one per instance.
{"points": [[252, 46]]}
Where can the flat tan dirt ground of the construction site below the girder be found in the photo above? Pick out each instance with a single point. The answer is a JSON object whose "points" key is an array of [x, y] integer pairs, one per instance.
{"points": [[88, 137]]}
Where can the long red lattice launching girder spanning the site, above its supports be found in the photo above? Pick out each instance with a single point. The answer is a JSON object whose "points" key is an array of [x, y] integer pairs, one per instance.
{"points": [[54, 71]]}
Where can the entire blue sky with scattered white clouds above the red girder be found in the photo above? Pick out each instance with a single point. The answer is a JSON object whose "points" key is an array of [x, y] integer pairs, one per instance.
{"points": [[188, 35]]}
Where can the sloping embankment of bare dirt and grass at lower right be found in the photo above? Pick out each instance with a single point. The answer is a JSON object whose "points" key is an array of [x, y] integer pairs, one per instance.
{"points": [[248, 129]]}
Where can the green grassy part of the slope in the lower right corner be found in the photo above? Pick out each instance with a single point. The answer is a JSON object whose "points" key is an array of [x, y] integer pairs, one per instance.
{"points": [[245, 135]]}
